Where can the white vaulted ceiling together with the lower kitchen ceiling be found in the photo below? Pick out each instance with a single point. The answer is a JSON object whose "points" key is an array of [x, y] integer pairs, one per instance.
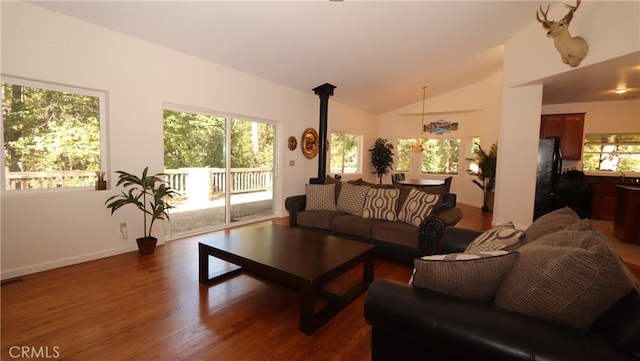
{"points": [[378, 54]]}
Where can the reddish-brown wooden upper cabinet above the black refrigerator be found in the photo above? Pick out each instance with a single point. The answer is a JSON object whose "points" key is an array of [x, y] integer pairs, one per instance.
{"points": [[570, 129]]}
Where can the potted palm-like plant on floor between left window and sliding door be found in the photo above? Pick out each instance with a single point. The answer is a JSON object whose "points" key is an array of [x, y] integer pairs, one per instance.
{"points": [[148, 193]]}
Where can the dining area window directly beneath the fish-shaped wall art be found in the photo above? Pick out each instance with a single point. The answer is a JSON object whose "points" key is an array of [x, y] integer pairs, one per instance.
{"points": [[441, 156]]}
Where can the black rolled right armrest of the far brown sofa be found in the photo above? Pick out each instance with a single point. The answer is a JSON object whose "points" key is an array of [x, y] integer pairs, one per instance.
{"points": [[432, 228]]}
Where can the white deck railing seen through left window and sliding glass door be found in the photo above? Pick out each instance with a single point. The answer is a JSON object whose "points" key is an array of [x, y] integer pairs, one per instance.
{"points": [[189, 182]]}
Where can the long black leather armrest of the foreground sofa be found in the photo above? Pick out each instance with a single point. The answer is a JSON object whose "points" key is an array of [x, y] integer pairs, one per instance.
{"points": [[466, 329]]}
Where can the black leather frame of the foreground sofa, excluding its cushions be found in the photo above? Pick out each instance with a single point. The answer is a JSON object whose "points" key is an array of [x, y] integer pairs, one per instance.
{"points": [[411, 323]]}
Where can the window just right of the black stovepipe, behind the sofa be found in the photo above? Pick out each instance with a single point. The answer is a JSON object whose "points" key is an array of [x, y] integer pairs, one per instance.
{"points": [[345, 153]]}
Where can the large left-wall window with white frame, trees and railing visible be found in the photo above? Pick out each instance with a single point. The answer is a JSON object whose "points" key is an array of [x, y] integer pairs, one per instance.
{"points": [[52, 135]]}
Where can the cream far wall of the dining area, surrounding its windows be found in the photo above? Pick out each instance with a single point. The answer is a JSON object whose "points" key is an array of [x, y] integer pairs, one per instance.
{"points": [[477, 110]]}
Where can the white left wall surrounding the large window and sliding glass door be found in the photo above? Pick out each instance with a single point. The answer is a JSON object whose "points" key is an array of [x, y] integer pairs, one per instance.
{"points": [[46, 230]]}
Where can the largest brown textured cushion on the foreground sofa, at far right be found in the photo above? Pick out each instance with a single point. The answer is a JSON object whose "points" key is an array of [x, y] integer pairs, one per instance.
{"points": [[571, 276]]}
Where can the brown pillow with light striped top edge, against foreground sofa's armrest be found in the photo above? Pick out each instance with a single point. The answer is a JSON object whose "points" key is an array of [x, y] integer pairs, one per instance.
{"points": [[469, 276]]}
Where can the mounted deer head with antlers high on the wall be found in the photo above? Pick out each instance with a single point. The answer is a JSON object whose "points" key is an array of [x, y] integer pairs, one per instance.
{"points": [[572, 50]]}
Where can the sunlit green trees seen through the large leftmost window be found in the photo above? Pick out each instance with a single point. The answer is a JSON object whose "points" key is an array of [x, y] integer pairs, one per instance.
{"points": [[50, 130]]}
